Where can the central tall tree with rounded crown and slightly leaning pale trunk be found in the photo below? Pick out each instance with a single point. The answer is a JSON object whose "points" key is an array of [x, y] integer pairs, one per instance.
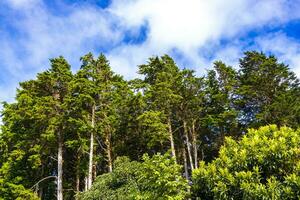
{"points": [[161, 89]]}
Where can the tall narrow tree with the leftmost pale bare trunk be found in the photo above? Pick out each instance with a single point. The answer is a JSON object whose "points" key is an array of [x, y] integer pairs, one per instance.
{"points": [[53, 88]]}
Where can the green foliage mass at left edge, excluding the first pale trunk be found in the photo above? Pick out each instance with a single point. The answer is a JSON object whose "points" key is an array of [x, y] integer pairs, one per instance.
{"points": [[30, 130]]}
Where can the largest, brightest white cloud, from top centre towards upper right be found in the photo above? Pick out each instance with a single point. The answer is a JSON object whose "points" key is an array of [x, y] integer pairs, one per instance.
{"points": [[191, 23]]}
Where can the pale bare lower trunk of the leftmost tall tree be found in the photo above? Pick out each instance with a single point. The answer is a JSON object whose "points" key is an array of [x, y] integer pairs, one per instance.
{"points": [[59, 167]]}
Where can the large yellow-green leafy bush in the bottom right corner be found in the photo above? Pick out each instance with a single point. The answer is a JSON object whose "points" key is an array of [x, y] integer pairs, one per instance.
{"points": [[264, 164]]}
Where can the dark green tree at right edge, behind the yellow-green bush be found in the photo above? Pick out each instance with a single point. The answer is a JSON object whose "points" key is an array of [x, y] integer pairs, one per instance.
{"points": [[268, 92]]}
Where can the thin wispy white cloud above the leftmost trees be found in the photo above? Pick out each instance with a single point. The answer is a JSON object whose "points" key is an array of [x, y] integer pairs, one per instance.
{"points": [[41, 34]]}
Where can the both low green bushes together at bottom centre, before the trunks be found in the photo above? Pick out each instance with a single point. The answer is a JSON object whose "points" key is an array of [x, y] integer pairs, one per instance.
{"points": [[155, 178]]}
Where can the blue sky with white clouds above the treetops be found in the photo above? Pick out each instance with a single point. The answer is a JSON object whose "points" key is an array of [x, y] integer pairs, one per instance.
{"points": [[194, 32]]}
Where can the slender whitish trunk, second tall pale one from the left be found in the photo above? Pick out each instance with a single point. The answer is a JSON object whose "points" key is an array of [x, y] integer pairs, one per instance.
{"points": [[90, 174]]}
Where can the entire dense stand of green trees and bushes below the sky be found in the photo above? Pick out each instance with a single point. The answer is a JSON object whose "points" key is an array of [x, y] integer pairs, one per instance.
{"points": [[232, 133]]}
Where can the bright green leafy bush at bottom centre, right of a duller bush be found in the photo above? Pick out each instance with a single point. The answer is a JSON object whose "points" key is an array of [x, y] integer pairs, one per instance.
{"points": [[160, 178]]}
